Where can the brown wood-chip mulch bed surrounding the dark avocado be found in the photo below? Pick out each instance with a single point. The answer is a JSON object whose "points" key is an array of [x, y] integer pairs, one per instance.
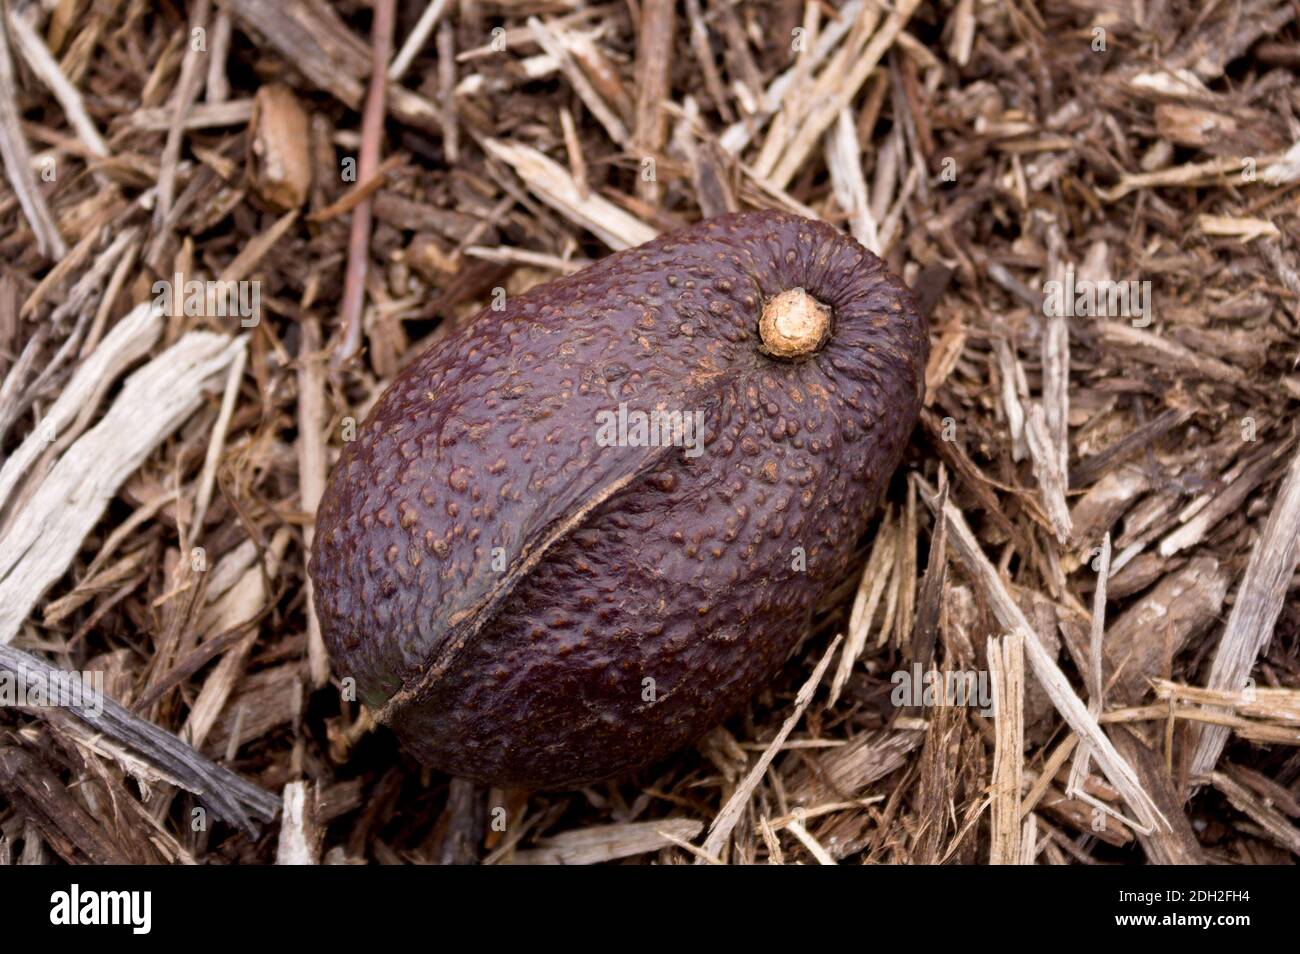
{"points": [[1098, 518]]}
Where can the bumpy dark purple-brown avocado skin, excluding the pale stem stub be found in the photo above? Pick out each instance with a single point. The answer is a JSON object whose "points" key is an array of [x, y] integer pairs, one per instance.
{"points": [[501, 587]]}
